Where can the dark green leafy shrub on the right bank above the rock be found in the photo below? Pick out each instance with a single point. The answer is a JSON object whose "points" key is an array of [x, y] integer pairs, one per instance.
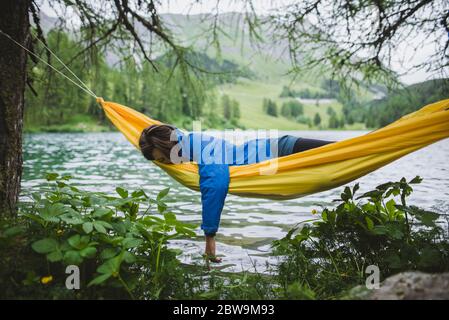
{"points": [[330, 255]]}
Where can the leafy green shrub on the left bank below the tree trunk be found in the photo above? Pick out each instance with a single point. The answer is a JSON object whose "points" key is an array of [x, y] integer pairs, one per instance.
{"points": [[118, 243]]}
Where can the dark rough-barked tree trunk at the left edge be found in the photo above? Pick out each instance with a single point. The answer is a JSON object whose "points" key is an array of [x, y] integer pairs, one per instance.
{"points": [[14, 20]]}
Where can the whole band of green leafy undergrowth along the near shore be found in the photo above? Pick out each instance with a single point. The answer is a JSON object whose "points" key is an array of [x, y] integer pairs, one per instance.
{"points": [[120, 244]]}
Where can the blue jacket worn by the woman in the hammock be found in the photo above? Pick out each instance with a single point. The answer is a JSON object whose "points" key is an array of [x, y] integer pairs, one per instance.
{"points": [[214, 156]]}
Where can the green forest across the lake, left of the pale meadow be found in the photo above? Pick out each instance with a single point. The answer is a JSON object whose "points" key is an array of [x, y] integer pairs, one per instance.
{"points": [[171, 95]]}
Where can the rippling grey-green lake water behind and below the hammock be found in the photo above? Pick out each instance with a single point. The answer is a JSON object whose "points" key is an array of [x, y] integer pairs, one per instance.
{"points": [[103, 161]]}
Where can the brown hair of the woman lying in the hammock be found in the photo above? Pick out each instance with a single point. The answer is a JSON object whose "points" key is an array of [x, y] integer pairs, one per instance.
{"points": [[156, 137]]}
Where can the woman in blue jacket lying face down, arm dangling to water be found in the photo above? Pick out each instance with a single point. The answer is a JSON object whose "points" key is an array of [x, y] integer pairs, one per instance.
{"points": [[166, 144]]}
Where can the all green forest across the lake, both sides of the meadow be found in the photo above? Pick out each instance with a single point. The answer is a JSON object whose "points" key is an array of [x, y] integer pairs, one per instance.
{"points": [[180, 96]]}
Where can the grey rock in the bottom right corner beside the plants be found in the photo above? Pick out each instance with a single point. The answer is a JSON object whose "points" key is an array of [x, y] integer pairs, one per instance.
{"points": [[413, 286]]}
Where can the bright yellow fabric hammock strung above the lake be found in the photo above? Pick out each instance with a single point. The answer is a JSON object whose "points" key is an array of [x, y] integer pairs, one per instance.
{"points": [[310, 171]]}
